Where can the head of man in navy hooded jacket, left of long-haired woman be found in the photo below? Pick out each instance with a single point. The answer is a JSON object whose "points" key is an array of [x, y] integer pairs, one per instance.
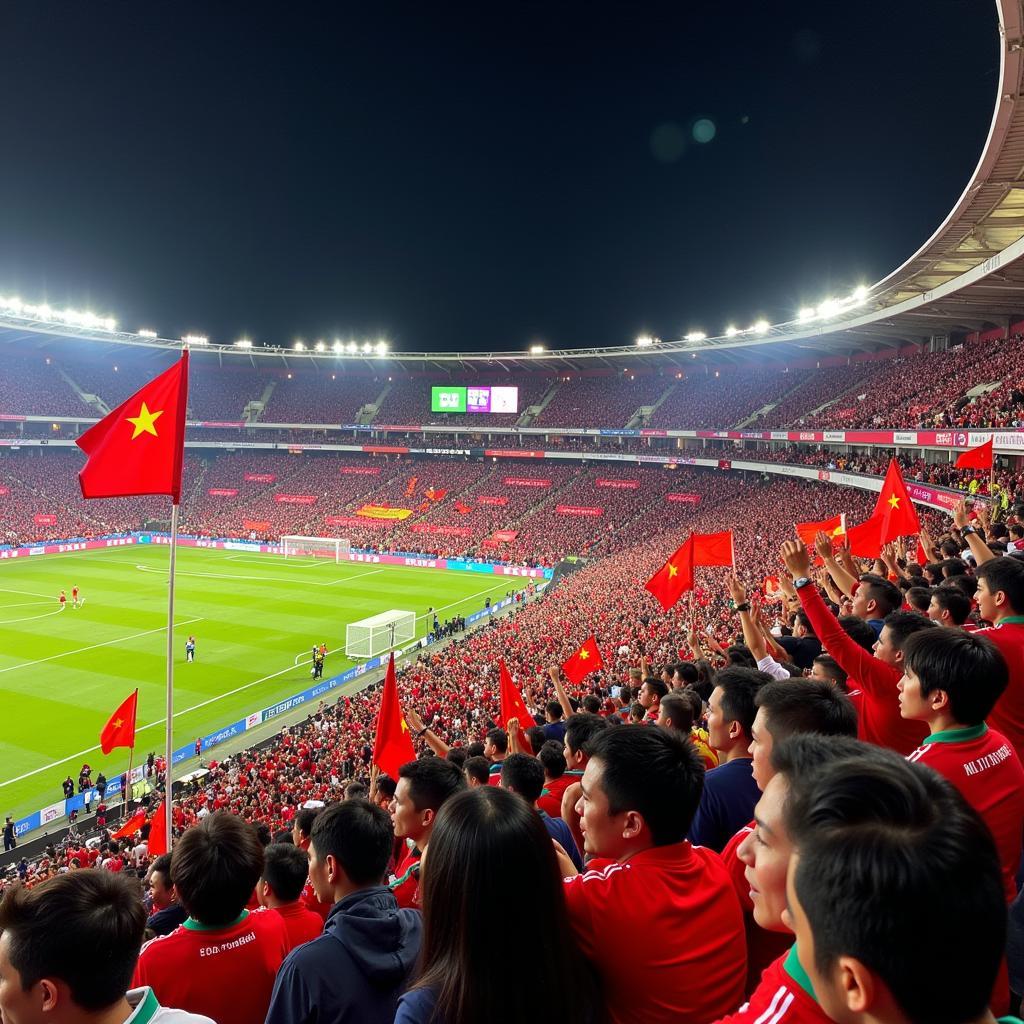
{"points": [[350, 849]]}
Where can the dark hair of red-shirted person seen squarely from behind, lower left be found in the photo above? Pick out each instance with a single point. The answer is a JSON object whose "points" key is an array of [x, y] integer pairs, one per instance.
{"points": [[216, 867]]}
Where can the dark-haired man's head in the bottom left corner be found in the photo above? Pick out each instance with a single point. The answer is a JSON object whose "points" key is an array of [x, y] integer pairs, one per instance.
{"points": [[69, 947]]}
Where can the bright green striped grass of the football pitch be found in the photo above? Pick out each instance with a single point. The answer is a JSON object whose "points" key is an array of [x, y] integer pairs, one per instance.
{"points": [[63, 674]]}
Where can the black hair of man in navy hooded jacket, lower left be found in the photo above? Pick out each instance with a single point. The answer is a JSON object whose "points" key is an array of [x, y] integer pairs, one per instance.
{"points": [[360, 836]]}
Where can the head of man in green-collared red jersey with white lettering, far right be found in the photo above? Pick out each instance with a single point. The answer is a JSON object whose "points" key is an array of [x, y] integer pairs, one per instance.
{"points": [[951, 677]]}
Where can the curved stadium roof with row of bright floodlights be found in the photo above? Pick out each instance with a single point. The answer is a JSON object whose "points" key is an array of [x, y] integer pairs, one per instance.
{"points": [[969, 276]]}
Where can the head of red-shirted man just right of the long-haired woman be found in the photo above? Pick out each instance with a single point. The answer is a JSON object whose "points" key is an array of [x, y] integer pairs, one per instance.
{"points": [[641, 790]]}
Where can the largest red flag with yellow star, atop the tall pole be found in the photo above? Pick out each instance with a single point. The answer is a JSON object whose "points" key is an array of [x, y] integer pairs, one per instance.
{"points": [[139, 448]]}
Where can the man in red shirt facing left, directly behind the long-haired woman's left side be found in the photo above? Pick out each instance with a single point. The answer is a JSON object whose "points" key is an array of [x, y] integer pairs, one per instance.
{"points": [[423, 788]]}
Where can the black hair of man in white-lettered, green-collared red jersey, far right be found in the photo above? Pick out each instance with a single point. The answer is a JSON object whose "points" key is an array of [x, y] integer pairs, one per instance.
{"points": [[969, 668]]}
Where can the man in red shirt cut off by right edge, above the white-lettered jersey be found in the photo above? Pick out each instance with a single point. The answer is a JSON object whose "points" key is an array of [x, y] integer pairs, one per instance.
{"points": [[1001, 602]]}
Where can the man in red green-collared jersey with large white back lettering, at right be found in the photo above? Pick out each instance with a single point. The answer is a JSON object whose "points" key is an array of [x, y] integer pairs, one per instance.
{"points": [[952, 680]]}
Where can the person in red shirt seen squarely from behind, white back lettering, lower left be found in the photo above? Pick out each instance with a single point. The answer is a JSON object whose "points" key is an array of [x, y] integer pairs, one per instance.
{"points": [[224, 960]]}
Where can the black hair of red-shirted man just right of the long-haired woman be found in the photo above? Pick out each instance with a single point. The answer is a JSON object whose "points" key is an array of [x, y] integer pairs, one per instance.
{"points": [[656, 773]]}
